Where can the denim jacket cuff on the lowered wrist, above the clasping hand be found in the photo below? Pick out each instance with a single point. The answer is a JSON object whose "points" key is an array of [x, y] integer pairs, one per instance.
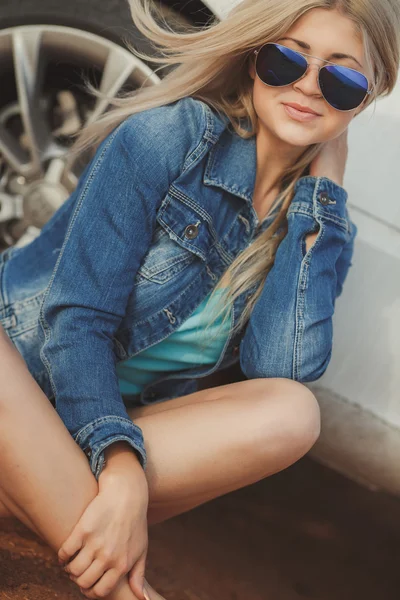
{"points": [[97, 435]]}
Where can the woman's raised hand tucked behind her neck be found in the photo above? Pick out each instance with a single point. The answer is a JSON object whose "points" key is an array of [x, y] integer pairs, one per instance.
{"points": [[331, 160]]}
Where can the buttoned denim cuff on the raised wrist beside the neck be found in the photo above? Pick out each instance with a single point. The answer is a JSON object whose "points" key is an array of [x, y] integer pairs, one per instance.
{"points": [[322, 199]]}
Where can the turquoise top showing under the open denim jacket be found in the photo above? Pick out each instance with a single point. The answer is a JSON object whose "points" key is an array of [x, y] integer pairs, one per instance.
{"points": [[180, 350]]}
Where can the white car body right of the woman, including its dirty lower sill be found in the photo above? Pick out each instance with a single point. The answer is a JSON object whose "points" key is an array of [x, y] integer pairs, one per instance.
{"points": [[359, 394]]}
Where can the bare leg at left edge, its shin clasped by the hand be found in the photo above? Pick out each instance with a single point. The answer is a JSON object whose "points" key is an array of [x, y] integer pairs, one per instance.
{"points": [[45, 478]]}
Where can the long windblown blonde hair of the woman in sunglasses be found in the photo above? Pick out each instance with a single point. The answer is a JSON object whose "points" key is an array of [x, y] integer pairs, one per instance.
{"points": [[212, 66]]}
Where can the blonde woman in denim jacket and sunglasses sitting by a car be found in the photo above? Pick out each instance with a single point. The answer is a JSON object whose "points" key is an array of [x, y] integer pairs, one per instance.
{"points": [[210, 228]]}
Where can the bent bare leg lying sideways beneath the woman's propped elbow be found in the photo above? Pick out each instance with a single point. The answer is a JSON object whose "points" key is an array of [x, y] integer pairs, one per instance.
{"points": [[162, 504]]}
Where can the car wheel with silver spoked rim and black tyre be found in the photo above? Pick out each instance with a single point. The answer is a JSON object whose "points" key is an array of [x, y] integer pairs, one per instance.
{"points": [[47, 47]]}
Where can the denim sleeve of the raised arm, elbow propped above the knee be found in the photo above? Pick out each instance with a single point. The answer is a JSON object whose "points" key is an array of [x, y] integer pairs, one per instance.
{"points": [[289, 333]]}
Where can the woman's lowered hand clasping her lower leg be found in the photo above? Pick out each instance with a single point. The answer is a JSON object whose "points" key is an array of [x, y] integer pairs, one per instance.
{"points": [[111, 537]]}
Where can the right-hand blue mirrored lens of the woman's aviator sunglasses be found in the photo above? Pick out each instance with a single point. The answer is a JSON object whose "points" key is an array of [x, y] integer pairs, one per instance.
{"points": [[342, 87]]}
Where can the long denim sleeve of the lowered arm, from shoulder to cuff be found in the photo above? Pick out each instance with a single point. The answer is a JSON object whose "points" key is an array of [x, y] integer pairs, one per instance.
{"points": [[108, 234]]}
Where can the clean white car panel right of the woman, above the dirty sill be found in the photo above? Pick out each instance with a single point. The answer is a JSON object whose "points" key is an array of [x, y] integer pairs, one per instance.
{"points": [[365, 366]]}
